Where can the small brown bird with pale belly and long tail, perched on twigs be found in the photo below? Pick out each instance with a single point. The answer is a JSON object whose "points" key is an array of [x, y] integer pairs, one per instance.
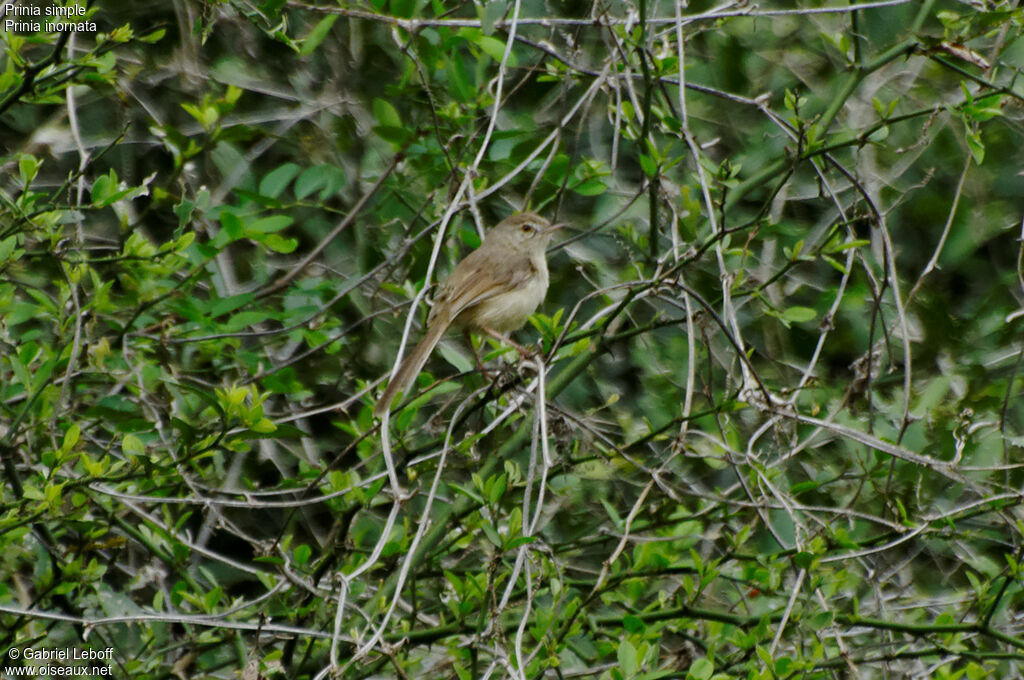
{"points": [[494, 291]]}
